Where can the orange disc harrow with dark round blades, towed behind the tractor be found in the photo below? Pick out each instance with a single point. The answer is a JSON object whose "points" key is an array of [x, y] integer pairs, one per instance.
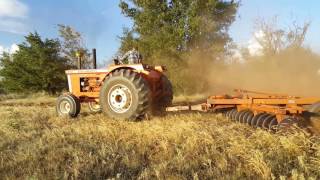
{"points": [[263, 110]]}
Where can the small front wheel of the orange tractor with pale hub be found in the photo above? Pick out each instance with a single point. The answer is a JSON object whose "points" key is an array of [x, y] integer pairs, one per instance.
{"points": [[68, 106]]}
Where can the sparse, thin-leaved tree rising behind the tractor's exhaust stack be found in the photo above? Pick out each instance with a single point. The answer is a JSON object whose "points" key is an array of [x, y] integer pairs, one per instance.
{"points": [[72, 42]]}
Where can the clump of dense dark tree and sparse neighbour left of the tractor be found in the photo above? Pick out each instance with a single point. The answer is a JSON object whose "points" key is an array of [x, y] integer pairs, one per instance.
{"points": [[40, 64]]}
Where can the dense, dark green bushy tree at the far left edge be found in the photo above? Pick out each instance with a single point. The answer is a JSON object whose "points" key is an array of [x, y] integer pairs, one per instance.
{"points": [[37, 66]]}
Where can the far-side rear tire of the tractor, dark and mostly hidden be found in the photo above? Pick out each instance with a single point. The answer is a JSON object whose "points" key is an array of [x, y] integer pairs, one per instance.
{"points": [[161, 102]]}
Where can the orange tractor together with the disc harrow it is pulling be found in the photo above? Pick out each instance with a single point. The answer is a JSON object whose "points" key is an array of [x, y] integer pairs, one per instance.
{"points": [[130, 91]]}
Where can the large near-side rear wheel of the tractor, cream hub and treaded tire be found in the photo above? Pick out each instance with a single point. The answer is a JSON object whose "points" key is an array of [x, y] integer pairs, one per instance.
{"points": [[125, 95]]}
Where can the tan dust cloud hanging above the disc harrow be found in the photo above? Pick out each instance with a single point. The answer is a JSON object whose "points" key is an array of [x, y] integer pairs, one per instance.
{"points": [[292, 72]]}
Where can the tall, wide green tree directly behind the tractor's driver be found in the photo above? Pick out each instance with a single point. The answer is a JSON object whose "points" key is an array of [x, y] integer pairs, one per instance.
{"points": [[169, 31]]}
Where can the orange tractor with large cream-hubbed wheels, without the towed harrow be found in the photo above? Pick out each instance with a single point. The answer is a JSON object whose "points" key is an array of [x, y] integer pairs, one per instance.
{"points": [[119, 91]]}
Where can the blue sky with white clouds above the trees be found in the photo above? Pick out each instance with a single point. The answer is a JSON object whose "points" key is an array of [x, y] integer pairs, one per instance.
{"points": [[101, 21]]}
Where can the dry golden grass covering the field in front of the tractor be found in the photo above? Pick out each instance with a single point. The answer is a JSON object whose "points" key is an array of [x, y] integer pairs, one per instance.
{"points": [[35, 144]]}
